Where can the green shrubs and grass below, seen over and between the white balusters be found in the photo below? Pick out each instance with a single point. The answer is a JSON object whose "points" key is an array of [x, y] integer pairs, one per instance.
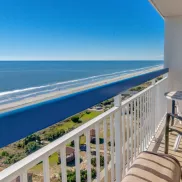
{"points": [[21, 149]]}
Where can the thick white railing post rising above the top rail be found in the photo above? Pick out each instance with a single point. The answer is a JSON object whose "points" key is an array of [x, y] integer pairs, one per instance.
{"points": [[117, 121]]}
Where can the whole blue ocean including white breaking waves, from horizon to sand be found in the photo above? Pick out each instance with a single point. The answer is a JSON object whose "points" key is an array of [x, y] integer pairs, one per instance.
{"points": [[24, 79]]}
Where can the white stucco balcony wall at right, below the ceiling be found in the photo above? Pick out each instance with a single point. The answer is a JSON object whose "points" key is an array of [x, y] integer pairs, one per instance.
{"points": [[173, 51]]}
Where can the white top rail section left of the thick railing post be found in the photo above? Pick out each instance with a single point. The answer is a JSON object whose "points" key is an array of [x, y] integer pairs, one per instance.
{"points": [[52, 147]]}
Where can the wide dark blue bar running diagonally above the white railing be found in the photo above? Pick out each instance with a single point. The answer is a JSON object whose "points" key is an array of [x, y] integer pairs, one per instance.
{"points": [[27, 120]]}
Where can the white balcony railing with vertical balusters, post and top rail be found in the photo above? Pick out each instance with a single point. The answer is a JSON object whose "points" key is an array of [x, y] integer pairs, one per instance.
{"points": [[129, 127]]}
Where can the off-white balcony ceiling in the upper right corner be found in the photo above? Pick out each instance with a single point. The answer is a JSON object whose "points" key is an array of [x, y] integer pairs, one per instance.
{"points": [[168, 8]]}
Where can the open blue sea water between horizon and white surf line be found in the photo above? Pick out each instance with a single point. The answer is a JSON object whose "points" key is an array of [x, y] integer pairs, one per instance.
{"points": [[15, 75]]}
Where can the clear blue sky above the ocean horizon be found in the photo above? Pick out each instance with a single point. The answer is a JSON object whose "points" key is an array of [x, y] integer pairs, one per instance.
{"points": [[80, 29]]}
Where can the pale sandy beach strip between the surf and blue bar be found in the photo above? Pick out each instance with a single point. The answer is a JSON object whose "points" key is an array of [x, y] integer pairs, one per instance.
{"points": [[44, 97]]}
